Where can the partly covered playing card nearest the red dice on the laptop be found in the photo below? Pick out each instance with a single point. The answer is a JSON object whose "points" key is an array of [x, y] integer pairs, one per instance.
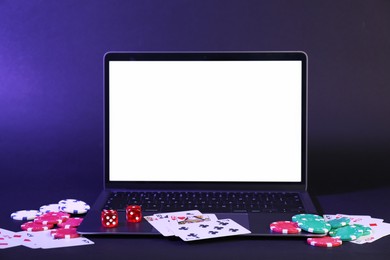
{"points": [[161, 221]]}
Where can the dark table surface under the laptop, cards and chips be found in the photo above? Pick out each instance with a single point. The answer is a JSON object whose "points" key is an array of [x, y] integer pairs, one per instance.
{"points": [[364, 202]]}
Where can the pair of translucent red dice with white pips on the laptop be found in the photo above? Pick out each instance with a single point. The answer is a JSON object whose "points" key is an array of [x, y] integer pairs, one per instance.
{"points": [[109, 217]]}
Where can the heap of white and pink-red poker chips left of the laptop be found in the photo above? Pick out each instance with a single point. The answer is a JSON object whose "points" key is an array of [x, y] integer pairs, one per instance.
{"points": [[52, 216]]}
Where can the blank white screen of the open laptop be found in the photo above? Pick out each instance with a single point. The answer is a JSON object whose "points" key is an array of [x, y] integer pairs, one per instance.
{"points": [[205, 120]]}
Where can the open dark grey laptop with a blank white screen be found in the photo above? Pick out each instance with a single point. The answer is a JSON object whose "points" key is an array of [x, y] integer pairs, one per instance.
{"points": [[214, 126]]}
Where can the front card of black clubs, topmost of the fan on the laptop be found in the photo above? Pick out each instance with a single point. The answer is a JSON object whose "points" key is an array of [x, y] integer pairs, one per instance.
{"points": [[210, 229]]}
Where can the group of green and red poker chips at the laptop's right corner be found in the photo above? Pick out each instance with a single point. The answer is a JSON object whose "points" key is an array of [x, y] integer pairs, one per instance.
{"points": [[336, 231]]}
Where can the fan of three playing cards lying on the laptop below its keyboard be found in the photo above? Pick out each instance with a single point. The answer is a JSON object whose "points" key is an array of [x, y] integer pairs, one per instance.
{"points": [[193, 225]]}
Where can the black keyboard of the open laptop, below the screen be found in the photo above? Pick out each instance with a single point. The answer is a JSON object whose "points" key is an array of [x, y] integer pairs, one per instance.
{"points": [[208, 202]]}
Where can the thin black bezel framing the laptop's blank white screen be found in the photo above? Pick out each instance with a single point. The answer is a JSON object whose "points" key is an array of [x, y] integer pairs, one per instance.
{"points": [[204, 56]]}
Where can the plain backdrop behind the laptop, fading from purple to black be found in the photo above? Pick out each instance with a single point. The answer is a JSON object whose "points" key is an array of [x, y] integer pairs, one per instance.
{"points": [[51, 79]]}
